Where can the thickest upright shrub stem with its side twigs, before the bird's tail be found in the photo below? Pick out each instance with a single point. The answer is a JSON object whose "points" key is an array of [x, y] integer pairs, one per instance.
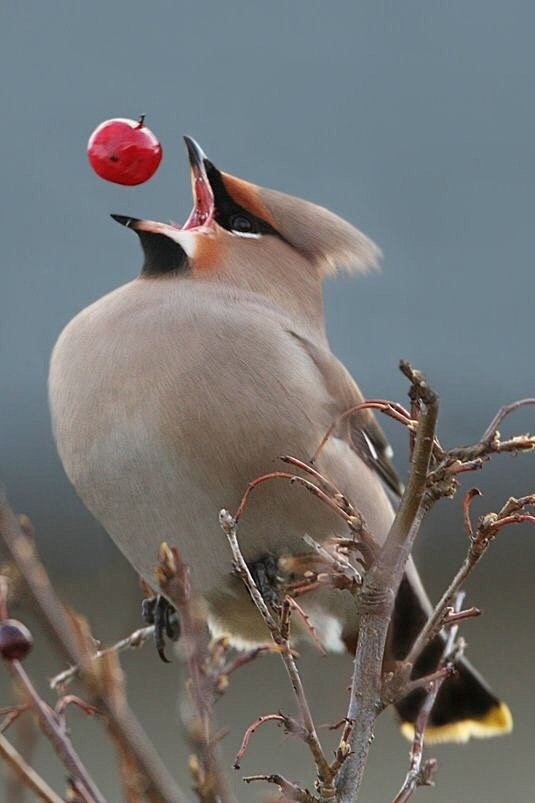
{"points": [[433, 475]]}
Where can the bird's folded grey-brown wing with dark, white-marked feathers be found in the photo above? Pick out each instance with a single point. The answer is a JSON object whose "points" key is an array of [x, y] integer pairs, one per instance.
{"points": [[361, 429]]}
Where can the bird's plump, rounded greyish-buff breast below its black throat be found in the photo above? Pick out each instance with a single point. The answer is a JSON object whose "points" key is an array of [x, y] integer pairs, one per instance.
{"points": [[165, 407]]}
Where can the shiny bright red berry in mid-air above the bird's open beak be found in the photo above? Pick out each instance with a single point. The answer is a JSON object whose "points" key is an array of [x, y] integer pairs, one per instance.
{"points": [[124, 151]]}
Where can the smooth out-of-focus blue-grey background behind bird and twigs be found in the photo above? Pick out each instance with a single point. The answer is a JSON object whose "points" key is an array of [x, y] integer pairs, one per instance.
{"points": [[416, 122]]}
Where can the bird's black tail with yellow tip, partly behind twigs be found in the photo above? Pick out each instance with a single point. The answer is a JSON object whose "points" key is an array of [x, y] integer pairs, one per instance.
{"points": [[465, 705]]}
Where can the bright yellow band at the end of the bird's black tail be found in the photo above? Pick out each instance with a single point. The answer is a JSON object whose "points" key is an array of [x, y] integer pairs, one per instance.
{"points": [[496, 722]]}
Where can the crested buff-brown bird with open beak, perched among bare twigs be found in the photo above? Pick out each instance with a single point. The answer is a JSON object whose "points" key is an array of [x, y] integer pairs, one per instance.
{"points": [[175, 390]]}
